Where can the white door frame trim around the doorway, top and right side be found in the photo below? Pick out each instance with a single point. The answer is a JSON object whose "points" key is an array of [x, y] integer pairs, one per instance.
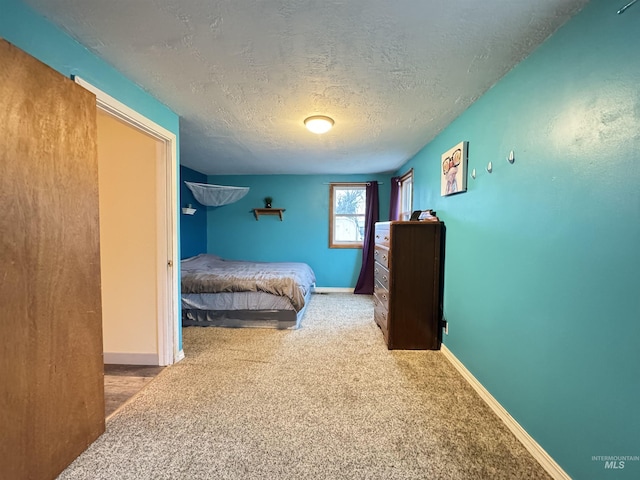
{"points": [[169, 351]]}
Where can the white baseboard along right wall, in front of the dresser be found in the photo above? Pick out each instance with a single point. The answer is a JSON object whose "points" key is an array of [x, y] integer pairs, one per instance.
{"points": [[543, 458]]}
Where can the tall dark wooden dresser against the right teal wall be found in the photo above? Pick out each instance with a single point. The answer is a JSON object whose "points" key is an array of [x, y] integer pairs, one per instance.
{"points": [[408, 290]]}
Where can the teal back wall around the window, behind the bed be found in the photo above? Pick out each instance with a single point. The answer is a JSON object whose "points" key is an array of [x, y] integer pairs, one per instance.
{"points": [[302, 236]]}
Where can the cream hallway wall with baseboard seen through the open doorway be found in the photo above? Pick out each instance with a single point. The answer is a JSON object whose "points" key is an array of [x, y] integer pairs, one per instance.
{"points": [[128, 162]]}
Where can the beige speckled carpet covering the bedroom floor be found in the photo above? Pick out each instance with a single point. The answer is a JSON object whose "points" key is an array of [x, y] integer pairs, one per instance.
{"points": [[327, 401]]}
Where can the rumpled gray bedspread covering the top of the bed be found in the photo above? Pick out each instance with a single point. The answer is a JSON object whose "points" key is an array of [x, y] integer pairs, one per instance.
{"points": [[206, 273]]}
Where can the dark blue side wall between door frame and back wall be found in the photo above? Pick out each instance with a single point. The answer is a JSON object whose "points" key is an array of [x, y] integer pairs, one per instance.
{"points": [[193, 228]]}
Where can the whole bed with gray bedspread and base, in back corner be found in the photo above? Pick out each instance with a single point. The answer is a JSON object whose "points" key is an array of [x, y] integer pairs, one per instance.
{"points": [[232, 293]]}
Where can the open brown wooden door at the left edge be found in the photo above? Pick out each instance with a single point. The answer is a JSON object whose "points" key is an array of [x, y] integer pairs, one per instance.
{"points": [[51, 369]]}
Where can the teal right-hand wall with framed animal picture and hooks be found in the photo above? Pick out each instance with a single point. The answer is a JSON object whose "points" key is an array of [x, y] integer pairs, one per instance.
{"points": [[543, 256]]}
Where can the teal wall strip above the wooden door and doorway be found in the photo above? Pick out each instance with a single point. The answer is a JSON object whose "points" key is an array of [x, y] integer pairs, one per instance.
{"points": [[35, 35]]}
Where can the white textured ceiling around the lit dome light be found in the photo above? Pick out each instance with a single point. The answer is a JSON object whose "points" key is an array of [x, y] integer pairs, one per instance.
{"points": [[244, 74]]}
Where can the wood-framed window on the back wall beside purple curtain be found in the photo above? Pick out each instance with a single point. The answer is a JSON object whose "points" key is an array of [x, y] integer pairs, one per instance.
{"points": [[347, 214]]}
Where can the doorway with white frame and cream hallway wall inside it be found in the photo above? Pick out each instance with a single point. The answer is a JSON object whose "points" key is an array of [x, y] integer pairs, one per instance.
{"points": [[140, 287]]}
